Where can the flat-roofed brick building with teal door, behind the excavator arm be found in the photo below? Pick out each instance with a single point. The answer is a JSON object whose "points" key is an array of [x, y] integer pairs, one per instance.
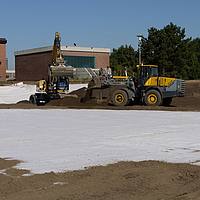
{"points": [[32, 64]]}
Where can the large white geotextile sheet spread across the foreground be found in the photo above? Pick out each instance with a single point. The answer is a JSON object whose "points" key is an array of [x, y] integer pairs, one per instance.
{"points": [[61, 140]]}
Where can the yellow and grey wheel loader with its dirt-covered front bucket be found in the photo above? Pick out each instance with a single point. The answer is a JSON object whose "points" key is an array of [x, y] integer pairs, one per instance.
{"points": [[147, 87]]}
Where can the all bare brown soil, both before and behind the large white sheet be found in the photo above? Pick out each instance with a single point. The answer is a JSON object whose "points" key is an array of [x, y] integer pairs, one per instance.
{"points": [[124, 180]]}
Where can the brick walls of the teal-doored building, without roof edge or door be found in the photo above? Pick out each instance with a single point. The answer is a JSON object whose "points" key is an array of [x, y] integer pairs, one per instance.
{"points": [[34, 66]]}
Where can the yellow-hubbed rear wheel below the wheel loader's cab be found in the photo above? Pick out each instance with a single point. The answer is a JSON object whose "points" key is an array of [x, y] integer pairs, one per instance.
{"points": [[152, 98]]}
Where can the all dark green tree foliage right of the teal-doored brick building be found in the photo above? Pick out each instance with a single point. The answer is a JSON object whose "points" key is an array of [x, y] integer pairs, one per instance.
{"points": [[175, 55]]}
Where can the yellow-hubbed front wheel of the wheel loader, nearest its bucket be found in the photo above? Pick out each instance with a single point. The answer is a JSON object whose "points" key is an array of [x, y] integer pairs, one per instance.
{"points": [[120, 98]]}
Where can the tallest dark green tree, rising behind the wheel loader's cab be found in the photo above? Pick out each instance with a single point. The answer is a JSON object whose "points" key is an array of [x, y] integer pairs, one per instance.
{"points": [[167, 48]]}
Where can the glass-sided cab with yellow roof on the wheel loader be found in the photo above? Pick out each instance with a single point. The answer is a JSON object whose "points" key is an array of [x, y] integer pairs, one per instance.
{"points": [[145, 72]]}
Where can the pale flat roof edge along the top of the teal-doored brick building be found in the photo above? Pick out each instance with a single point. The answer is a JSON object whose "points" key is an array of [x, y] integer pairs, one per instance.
{"points": [[63, 48]]}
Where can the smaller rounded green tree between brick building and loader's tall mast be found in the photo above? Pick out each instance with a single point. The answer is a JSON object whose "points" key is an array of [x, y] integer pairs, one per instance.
{"points": [[124, 56]]}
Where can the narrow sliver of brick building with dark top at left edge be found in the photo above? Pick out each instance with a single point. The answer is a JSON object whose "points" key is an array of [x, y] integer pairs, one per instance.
{"points": [[3, 42]]}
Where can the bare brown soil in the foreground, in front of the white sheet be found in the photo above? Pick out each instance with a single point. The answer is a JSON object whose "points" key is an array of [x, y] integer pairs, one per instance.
{"points": [[124, 180]]}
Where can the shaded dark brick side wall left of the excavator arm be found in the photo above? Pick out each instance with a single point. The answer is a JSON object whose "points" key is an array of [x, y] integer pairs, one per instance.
{"points": [[32, 67]]}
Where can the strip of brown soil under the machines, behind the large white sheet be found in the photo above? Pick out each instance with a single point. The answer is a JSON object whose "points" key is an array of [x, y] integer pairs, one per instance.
{"points": [[191, 102]]}
